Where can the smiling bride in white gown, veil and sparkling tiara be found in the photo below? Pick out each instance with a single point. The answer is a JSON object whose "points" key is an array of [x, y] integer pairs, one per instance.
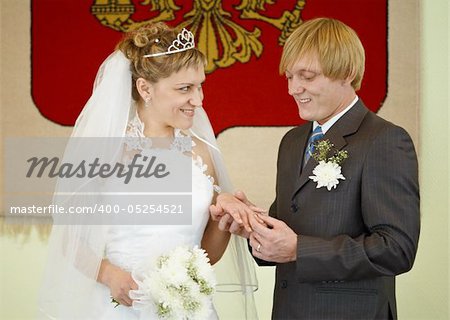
{"points": [[151, 86]]}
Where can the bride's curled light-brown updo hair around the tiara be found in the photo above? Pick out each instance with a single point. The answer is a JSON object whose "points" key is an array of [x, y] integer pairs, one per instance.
{"points": [[156, 38]]}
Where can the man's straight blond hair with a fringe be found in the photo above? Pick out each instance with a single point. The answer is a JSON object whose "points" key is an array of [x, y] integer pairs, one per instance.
{"points": [[335, 45]]}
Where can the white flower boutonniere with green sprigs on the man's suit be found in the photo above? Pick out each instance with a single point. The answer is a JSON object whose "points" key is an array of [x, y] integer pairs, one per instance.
{"points": [[328, 172]]}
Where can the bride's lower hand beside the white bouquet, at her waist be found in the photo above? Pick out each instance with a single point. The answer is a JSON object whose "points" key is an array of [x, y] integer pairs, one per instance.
{"points": [[119, 282]]}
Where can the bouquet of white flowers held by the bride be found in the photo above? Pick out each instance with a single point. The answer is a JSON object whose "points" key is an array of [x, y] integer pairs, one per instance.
{"points": [[180, 286]]}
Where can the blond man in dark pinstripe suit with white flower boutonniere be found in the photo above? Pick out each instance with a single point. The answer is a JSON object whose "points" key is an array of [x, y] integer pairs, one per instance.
{"points": [[337, 241]]}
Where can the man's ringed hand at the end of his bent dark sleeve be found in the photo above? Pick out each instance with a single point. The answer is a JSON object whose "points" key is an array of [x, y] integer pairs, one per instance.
{"points": [[274, 241]]}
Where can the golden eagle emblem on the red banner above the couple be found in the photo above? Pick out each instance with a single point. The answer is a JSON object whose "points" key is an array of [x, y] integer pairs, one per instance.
{"points": [[222, 39]]}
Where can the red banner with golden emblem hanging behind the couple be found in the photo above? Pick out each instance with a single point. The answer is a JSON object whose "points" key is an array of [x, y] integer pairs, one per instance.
{"points": [[242, 38]]}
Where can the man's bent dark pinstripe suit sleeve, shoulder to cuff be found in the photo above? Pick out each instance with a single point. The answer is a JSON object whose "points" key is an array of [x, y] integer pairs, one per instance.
{"points": [[390, 211]]}
